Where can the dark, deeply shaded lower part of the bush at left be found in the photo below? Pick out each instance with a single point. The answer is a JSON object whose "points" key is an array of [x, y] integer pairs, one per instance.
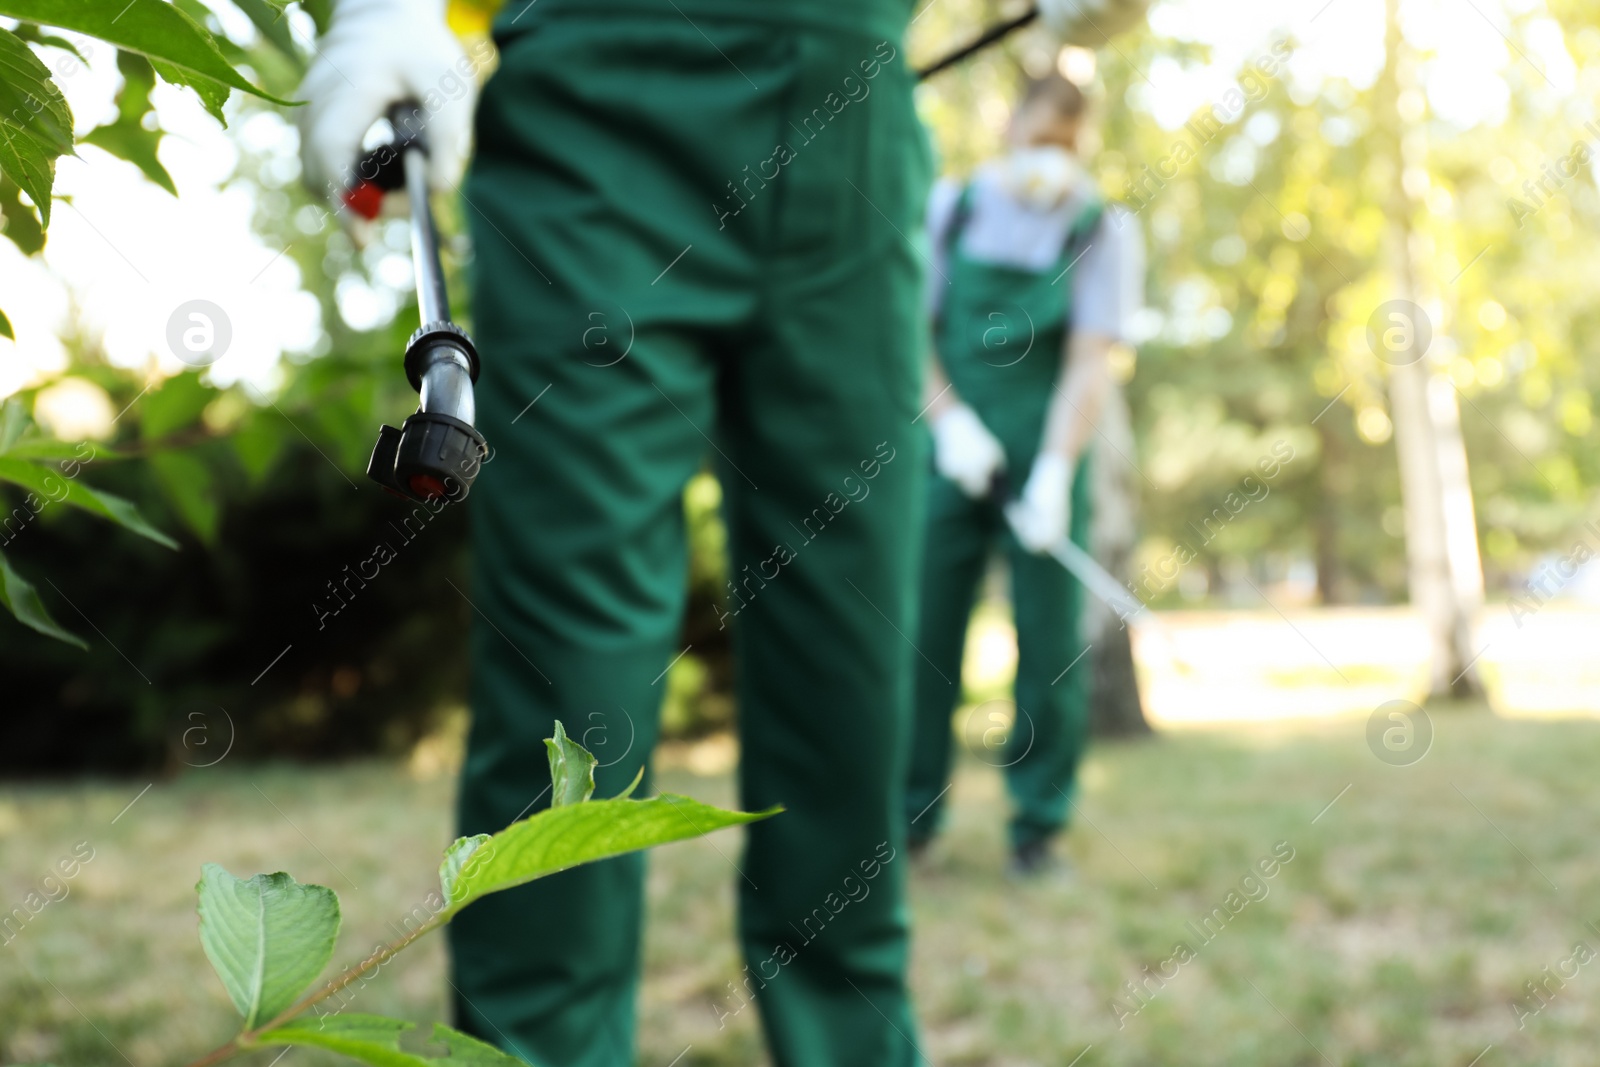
{"points": [[182, 642]]}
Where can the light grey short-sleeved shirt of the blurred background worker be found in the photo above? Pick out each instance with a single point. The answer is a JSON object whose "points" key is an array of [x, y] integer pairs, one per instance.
{"points": [[1108, 279]]}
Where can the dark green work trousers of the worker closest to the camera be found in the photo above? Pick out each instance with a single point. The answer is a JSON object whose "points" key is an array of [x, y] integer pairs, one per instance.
{"points": [[689, 246]]}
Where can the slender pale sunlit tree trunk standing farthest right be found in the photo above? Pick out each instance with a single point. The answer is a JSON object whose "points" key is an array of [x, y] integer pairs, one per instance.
{"points": [[1444, 570]]}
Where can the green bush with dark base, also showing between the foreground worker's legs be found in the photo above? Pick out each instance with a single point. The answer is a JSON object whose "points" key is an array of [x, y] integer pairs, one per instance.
{"points": [[183, 658]]}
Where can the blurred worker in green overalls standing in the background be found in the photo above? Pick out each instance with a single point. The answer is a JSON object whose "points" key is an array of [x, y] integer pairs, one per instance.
{"points": [[1036, 282]]}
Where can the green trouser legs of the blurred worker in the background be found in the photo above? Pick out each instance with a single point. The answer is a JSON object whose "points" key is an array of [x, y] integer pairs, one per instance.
{"points": [[1042, 748]]}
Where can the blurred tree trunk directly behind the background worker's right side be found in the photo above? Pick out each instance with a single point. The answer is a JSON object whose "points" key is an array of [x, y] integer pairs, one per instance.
{"points": [[1116, 709]]}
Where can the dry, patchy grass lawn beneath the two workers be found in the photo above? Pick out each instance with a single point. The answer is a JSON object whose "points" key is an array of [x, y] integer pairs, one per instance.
{"points": [[1402, 932]]}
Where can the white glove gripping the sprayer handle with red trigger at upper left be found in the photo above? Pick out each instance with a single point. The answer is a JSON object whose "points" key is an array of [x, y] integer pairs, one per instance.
{"points": [[378, 54]]}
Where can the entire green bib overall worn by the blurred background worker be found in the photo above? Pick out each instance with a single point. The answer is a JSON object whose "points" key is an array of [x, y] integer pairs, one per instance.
{"points": [[999, 337]]}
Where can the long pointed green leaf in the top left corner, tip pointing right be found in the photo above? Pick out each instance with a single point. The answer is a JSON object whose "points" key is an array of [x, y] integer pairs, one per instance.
{"points": [[151, 28]]}
